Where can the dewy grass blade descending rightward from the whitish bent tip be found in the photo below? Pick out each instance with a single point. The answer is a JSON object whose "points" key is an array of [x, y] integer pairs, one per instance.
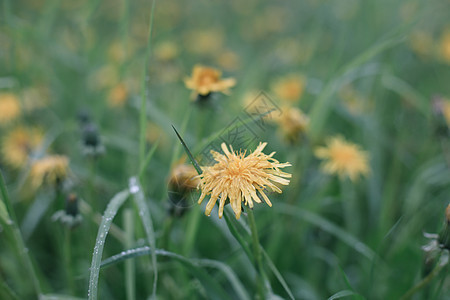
{"points": [[144, 214]]}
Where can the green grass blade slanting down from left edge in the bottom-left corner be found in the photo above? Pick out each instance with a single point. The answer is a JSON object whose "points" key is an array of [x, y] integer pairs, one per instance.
{"points": [[20, 244]]}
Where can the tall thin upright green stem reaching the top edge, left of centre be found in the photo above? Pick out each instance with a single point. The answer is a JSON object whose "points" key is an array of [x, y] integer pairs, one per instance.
{"points": [[144, 82]]}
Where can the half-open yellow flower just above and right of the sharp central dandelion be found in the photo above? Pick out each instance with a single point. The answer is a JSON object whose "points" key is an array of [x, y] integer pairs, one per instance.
{"points": [[293, 122]]}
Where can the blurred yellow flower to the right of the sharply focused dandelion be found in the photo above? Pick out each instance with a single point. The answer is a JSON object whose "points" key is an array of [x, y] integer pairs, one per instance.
{"points": [[343, 158]]}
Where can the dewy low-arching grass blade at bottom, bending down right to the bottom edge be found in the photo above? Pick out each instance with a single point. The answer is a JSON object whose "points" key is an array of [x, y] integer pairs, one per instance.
{"points": [[213, 289]]}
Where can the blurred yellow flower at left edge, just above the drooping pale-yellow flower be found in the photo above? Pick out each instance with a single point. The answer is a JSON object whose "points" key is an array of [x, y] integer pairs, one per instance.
{"points": [[19, 144]]}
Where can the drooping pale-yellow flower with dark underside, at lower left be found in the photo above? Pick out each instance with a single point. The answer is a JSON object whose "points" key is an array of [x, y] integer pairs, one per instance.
{"points": [[51, 169]]}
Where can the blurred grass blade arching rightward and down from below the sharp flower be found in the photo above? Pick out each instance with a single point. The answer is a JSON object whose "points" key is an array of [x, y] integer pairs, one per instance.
{"points": [[328, 227]]}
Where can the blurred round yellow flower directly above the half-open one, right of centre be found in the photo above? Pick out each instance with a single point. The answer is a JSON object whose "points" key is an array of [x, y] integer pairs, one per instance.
{"points": [[289, 88]]}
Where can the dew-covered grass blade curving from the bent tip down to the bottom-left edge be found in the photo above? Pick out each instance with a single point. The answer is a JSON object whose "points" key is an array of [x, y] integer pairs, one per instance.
{"points": [[110, 212]]}
